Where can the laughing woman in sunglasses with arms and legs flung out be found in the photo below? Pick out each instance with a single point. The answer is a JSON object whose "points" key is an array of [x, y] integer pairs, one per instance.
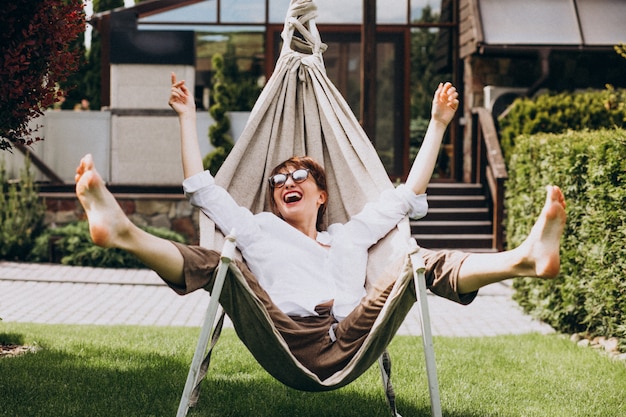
{"points": [[312, 281]]}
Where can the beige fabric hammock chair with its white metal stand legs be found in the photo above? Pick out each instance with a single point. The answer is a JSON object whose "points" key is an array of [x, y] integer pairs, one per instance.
{"points": [[300, 112]]}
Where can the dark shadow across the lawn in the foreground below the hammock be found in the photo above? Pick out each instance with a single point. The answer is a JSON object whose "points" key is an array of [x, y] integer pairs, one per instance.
{"points": [[118, 382]]}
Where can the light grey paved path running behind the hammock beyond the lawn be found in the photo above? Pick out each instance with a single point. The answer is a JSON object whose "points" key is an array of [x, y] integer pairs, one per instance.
{"points": [[57, 294]]}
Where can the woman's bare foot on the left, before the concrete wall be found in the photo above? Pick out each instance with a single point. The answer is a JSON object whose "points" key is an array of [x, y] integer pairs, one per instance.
{"points": [[107, 221]]}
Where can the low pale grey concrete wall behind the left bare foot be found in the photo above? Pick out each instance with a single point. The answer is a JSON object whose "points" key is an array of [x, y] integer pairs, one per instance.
{"points": [[126, 149]]}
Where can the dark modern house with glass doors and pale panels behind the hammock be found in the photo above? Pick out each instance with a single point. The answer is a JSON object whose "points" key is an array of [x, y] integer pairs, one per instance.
{"points": [[493, 50]]}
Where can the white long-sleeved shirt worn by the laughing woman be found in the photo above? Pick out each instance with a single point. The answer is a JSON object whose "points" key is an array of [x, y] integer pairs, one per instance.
{"points": [[296, 271]]}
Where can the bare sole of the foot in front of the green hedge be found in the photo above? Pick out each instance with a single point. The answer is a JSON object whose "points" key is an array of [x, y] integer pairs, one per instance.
{"points": [[543, 243]]}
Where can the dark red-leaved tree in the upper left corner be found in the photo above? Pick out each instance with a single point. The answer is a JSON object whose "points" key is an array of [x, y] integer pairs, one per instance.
{"points": [[36, 53]]}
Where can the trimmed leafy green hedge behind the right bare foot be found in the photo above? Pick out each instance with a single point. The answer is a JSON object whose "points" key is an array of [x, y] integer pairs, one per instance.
{"points": [[590, 167]]}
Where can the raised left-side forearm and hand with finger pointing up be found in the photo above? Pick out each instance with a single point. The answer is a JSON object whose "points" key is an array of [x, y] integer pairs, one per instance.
{"points": [[181, 100]]}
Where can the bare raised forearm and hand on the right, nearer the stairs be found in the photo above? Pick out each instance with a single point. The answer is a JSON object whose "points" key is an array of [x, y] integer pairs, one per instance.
{"points": [[445, 103]]}
